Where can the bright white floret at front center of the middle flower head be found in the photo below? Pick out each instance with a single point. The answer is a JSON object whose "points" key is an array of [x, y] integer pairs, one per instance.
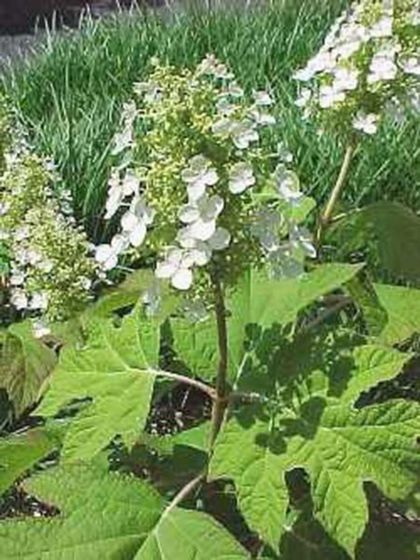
{"points": [[201, 216]]}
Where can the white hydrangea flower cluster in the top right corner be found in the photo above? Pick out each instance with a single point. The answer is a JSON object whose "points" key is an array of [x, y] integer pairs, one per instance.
{"points": [[370, 57]]}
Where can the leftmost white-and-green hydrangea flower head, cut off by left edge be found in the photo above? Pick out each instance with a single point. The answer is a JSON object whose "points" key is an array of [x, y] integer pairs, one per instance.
{"points": [[47, 268]]}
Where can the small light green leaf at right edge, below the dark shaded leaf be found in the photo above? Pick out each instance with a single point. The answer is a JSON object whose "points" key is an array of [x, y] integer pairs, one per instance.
{"points": [[403, 308]]}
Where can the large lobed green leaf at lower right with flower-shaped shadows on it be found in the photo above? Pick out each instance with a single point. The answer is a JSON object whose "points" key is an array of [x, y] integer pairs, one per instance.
{"points": [[310, 422]]}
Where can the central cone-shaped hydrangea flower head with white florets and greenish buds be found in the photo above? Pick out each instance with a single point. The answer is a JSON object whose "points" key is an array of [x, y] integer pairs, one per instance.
{"points": [[198, 184]]}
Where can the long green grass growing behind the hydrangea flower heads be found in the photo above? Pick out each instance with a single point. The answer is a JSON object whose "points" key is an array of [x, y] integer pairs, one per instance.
{"points": [[70, 95]]}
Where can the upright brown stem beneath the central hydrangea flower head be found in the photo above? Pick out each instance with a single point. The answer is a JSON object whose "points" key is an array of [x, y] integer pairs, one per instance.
{"points": [[221, 401]]}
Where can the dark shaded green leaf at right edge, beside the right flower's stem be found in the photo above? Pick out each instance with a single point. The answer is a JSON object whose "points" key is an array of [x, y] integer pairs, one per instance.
{"points": [[393, 230]]}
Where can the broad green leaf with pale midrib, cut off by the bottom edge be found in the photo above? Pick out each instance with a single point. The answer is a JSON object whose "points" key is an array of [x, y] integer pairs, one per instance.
{"points": [[113, 517]]}
